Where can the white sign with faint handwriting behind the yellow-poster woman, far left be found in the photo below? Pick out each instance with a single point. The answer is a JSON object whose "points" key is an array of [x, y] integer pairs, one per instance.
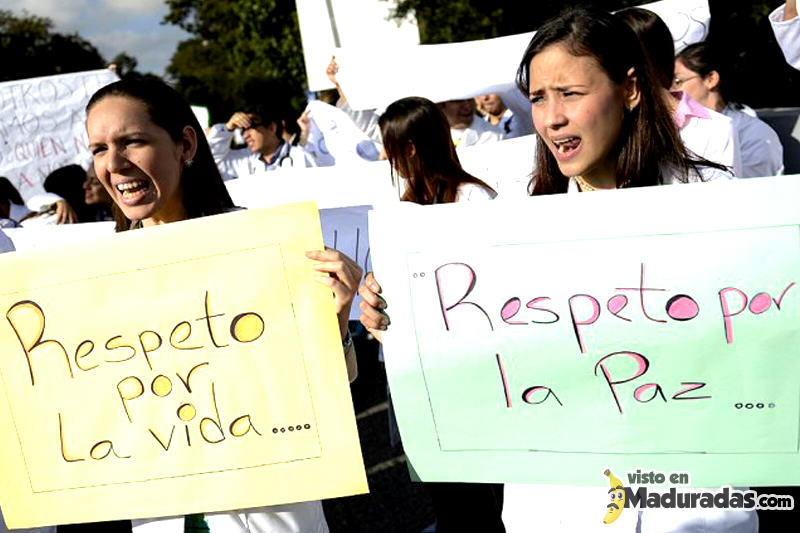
{"points": [[43, 125]]}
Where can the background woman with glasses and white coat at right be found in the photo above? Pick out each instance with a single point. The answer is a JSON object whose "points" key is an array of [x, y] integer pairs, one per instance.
{"points": [[699, 71]]}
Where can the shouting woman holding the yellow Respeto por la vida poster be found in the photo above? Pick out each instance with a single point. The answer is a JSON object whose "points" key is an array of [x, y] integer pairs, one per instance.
{"points": [[169, 175]]}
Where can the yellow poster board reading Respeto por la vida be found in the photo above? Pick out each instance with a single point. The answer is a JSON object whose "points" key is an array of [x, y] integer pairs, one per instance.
{"points": [[185, 368]]}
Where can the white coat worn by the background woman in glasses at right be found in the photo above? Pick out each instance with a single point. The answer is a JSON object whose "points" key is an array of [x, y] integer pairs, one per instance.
{"points": [[760, 146]]}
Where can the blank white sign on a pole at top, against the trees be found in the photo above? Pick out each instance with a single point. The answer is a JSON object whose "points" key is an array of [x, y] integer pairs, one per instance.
{"points": [[328, 24]]}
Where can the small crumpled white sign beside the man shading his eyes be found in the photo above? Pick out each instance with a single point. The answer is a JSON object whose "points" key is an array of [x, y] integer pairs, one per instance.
{"points": [[334, 139]]}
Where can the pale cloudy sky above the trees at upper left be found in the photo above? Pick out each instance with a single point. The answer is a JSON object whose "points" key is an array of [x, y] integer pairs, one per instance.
{"points": [[113, 26]]}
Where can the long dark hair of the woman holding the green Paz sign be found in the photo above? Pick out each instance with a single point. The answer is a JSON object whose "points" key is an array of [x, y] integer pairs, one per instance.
{"points": [[648, 141]]}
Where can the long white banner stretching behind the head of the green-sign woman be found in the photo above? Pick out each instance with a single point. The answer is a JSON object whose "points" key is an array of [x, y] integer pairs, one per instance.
{"points": [[373, 77]]}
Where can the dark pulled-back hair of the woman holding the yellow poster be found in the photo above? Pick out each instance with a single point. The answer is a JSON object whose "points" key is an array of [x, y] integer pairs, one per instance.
{"points": [[204, 192]]}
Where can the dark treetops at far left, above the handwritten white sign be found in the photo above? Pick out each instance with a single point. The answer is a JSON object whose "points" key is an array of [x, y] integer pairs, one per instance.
{"points": [[30, 48]]}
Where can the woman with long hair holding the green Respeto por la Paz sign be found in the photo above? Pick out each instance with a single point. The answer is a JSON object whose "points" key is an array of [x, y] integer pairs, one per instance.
{"points": [[601, 123]]}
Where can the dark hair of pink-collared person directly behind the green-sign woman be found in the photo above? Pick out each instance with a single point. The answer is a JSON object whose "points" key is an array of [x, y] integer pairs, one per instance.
{"points": [[656, 39]]}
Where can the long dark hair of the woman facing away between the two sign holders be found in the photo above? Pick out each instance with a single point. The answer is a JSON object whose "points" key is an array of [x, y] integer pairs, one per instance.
{"points": [[433, 172]]}
